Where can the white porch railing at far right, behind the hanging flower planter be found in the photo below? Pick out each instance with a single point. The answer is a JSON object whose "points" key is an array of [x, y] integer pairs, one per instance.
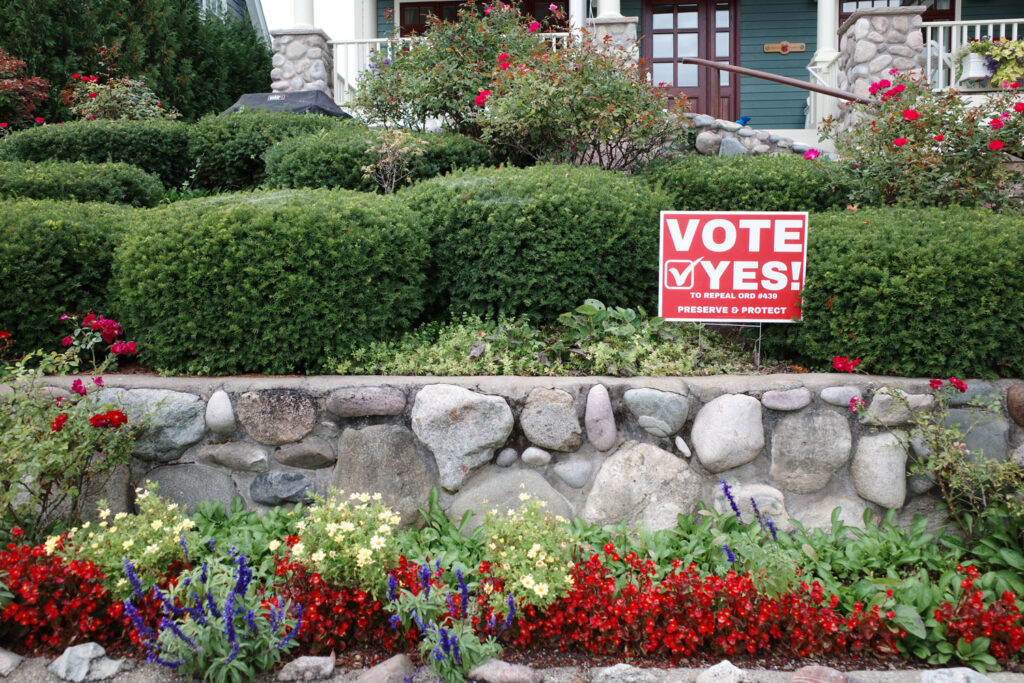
{"points": [[944, 41]]}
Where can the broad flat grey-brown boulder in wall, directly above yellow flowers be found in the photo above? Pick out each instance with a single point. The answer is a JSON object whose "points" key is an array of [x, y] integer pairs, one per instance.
{"points": [[383, 459]]}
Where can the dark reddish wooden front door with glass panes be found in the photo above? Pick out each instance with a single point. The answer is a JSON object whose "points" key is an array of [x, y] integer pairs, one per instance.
{"points": [[706, 29]]}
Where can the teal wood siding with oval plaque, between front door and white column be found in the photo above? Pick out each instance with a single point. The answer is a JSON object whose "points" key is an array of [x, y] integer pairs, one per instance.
{"points": [[774, 105]]}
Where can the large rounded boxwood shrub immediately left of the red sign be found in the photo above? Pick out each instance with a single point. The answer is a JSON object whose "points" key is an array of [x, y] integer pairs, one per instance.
{"points": [[539, 241]]}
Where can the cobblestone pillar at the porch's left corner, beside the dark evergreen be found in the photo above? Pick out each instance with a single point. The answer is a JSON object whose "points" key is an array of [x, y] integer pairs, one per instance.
{"points": [[303, 61]]}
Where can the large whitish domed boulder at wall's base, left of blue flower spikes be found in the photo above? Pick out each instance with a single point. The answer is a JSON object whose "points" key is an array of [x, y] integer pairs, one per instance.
{"points": [[643, 483]]}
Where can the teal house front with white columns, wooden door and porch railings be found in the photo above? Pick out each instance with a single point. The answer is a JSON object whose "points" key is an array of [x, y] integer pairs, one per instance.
{"points": [[801, 39]]}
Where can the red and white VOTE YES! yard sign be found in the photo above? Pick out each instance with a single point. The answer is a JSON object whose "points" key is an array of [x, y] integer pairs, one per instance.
{"points": [[732, 267]]}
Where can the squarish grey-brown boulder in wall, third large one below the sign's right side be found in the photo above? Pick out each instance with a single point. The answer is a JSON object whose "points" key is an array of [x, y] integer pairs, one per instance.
{"points": [[808, 448]]}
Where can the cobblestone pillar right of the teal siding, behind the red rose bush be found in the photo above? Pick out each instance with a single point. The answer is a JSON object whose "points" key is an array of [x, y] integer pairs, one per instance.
{"points": [[874, 41]]}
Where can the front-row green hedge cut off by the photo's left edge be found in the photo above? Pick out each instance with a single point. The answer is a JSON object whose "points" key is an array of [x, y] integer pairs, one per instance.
{"points": [[56, 259]]}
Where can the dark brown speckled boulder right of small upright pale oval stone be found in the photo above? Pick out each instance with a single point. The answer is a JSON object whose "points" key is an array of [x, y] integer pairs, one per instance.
{"points": [[276, 417]]}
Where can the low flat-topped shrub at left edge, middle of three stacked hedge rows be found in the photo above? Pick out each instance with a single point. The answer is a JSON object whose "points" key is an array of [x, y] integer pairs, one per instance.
{"points": [[114, 184]]}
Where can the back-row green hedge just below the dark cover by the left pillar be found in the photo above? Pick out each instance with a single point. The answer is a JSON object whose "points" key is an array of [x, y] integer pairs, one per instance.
{"points": [[229, 149]]}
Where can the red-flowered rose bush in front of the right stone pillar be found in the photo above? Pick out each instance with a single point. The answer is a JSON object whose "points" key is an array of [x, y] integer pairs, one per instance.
{"points": [[919, 147]]}
